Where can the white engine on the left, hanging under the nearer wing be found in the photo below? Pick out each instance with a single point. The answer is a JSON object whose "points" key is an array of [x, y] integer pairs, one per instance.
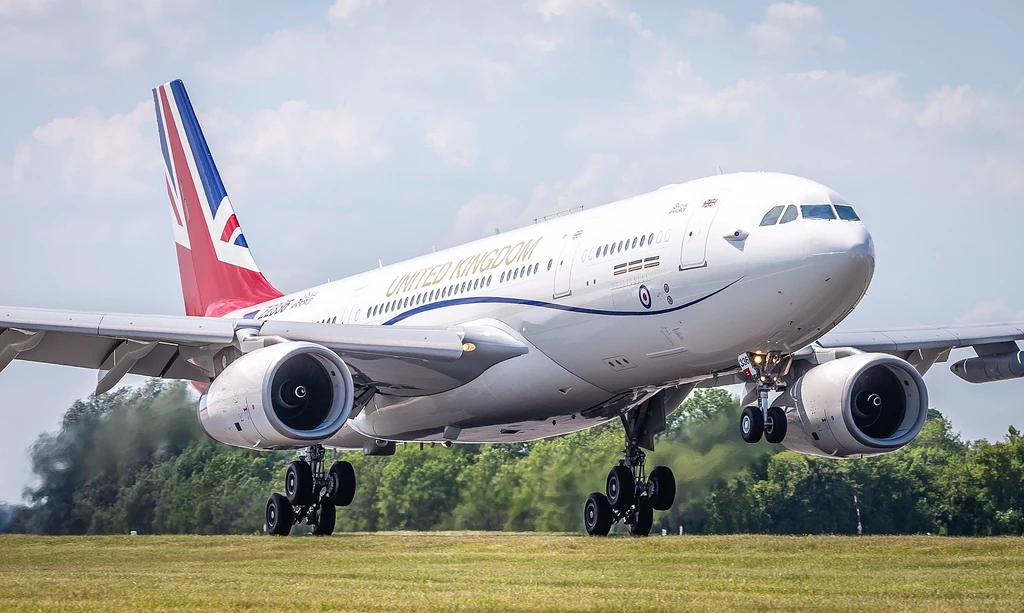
{"points": [[283, 397]]}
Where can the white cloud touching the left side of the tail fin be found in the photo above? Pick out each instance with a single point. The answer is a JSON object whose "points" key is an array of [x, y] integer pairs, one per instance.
{"points": [[94, 154]]}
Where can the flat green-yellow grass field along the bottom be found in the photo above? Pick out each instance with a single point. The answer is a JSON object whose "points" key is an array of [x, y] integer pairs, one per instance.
{"points": [[510, 573]]}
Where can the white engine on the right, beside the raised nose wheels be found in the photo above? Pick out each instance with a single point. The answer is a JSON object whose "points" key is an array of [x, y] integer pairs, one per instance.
{"points": [[866, 405]]}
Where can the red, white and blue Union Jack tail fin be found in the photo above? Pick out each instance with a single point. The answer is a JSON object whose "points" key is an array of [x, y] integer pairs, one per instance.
{"points": [[219, 274]]}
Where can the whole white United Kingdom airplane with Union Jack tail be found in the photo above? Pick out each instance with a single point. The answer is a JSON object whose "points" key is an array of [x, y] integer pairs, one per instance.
{"points": [[617, 312]]}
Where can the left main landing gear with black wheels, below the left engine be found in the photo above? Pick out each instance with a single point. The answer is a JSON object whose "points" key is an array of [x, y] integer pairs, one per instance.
{"points": [[311, 495]]}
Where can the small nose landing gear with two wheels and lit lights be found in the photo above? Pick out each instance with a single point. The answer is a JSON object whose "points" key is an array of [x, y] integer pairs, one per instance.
{"points": [[766, 372]]}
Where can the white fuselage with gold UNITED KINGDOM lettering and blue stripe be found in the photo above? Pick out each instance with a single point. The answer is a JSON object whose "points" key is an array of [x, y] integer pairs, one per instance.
{"points": [[614, 302]]}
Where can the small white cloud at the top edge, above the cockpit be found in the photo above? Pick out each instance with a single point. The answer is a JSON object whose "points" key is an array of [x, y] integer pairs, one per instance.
{"points": [[791, 28]]}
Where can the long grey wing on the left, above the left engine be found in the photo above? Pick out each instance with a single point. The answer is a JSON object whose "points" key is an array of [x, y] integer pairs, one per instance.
{"points": [[399, 361]]}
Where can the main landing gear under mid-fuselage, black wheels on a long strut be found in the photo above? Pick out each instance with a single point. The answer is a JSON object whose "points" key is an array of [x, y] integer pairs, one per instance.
{"points": [[632, 496]]}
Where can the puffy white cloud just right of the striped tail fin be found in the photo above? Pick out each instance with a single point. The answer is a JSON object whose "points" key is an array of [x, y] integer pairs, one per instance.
{"points": [[297, 137]]}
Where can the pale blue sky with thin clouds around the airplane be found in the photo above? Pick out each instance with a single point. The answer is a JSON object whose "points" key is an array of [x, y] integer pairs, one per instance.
{"points": [[359, 130]]}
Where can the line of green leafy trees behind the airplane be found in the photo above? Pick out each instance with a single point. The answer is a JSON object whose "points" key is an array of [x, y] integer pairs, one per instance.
{"points": [[137, 459]]}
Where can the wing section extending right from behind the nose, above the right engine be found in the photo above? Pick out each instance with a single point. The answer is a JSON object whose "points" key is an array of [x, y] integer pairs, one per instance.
{"points": [[923, 347]]}
